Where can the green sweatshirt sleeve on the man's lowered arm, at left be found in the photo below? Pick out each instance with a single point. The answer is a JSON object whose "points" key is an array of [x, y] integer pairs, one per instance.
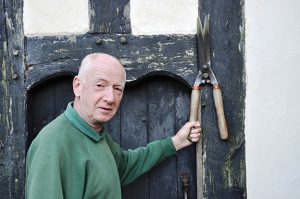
{"points": [[42, 161]]}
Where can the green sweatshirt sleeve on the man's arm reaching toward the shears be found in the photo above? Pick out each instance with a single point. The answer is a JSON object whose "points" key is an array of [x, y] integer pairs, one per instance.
{"points": [[133, 163]]}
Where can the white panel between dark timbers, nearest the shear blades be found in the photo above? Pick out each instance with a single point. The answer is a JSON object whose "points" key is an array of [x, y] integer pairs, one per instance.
{"points": [[152, 17]]}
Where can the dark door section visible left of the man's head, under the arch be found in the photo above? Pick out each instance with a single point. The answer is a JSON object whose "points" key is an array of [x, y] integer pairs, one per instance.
{"points": [[45, 102]]}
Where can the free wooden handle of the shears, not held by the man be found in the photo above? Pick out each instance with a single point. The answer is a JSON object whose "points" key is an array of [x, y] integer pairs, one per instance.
{"points": [[220, 112]]}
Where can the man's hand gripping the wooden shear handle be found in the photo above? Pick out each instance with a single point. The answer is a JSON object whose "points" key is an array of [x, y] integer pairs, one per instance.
{"points": [[188, 134]]}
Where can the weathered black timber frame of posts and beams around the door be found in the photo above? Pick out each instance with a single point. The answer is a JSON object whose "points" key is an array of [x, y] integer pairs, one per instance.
{"points": [[22, 70]]}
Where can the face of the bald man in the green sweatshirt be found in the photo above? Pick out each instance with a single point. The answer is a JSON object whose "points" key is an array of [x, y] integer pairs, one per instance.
{"points": [[101, 90]]}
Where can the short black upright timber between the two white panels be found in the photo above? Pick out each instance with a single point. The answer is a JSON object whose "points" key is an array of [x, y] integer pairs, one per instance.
{"points": [[109, 17]]}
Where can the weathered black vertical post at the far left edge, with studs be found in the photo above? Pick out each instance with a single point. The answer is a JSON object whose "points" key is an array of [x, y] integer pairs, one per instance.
{"points": [[12, 117]]}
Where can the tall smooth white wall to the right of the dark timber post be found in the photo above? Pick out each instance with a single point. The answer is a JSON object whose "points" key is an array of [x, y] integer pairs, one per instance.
{"points": [[272, 110]]}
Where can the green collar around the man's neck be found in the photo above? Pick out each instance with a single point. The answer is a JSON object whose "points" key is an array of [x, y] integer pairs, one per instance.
{"points": [[82, 125]]}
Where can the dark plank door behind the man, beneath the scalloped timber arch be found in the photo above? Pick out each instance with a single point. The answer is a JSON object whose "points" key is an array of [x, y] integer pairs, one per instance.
{"points": [[152, 109]]}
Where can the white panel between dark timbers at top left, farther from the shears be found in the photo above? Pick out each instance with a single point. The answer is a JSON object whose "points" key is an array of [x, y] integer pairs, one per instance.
{"points": [[55, 17]]}
